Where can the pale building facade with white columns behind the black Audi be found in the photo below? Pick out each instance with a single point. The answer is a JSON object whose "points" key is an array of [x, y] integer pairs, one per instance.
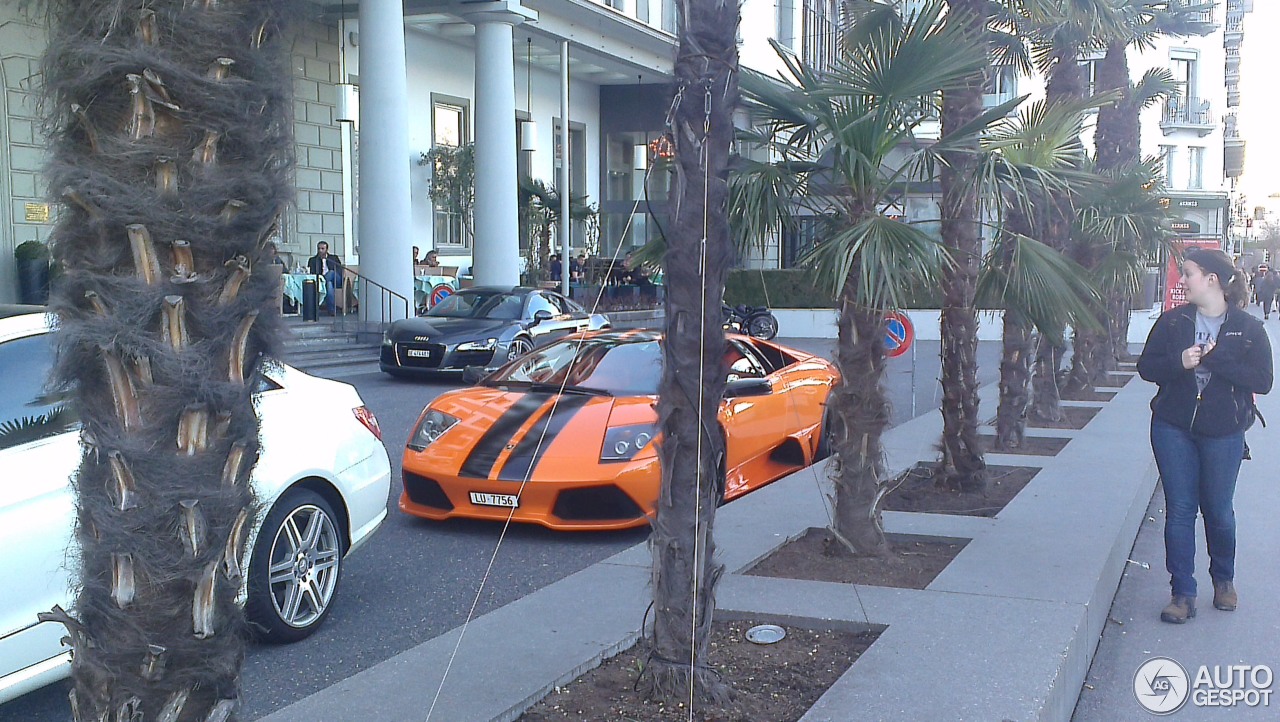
{"points": [[472, 74]]}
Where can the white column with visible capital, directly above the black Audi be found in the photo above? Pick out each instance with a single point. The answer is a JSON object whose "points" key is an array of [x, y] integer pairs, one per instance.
{"points": [[496, 248]]}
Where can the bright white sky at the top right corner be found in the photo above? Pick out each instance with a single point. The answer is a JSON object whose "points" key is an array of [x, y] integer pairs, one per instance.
{"points": [[1260, 104]]}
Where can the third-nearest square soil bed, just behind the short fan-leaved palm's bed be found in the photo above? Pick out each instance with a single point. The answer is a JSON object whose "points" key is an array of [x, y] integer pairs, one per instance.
{"points": [[917, 491]]}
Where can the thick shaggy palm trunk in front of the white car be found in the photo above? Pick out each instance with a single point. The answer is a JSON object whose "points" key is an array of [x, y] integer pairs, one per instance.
{"points": [[172, 152]]}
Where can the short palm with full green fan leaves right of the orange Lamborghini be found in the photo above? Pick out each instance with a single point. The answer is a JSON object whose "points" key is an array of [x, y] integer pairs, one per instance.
{"points": [[845, 145]]}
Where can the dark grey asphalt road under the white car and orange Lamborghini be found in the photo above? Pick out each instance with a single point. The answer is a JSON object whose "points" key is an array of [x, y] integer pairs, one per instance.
{"points": [[417, 581]]}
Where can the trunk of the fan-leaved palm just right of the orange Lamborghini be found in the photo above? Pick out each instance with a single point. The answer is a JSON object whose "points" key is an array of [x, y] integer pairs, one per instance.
{"points": [[860, 418]]}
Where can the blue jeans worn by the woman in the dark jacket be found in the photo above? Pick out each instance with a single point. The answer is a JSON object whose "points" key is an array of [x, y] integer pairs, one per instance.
{"points": [[1199, 474]]}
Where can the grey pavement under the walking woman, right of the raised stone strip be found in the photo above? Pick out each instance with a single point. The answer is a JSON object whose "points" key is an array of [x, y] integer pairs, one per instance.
{"points": [[1251, 636]]}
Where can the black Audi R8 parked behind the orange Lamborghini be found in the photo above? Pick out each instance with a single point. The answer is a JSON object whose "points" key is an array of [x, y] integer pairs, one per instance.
{"points": [[482, 327]]}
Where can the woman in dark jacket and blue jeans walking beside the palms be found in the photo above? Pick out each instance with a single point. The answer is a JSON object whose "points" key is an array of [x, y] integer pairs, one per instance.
{"points": [[1209, 359]]}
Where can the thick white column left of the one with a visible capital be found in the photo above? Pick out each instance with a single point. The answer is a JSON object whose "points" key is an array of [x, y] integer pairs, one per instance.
{"points": [[386, 235]]}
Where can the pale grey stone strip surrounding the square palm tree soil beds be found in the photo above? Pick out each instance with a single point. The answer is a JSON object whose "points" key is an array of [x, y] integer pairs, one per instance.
{"points": [[1007, 632]]}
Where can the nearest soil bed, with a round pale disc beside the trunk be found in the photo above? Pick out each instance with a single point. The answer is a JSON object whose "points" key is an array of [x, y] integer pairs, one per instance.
{"points": [[772, 683]]}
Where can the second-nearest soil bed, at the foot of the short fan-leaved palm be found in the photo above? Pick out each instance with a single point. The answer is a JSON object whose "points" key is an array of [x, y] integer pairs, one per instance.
{"points": [[912, 563]]}
